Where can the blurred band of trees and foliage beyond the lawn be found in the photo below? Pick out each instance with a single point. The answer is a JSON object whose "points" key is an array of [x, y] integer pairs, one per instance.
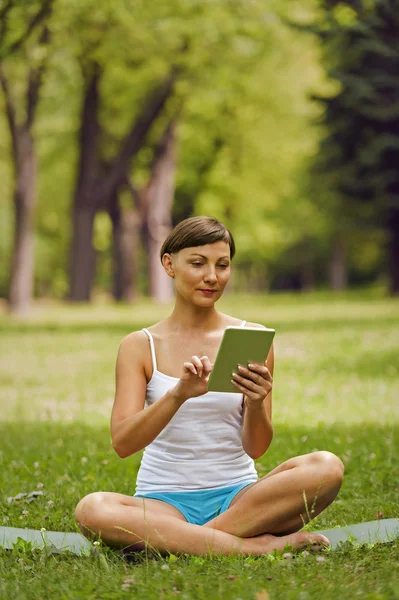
{"points": [[281, 119]]}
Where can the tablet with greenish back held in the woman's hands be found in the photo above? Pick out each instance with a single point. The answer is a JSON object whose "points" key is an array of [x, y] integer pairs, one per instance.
{"points": [[240, 345]]}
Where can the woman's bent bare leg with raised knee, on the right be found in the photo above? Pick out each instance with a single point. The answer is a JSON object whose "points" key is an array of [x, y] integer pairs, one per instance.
{"points": [[285, 499]]}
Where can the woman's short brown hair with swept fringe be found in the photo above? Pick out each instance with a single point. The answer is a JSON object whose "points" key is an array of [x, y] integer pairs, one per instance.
{"points": [[197, 231]]}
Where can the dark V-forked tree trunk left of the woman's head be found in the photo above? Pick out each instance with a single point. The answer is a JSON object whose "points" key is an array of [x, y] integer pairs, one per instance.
{"points": [[98, 181]]}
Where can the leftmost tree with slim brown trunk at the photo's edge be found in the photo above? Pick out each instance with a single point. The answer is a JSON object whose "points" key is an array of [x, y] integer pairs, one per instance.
{"points": [[25, 37]]}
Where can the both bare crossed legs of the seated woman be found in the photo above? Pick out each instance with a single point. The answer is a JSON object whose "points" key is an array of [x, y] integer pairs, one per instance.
{"points": [[262, 517]]}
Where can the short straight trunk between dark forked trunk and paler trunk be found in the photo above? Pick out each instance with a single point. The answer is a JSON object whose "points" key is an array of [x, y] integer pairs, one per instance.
{"points": [[126, 228]]}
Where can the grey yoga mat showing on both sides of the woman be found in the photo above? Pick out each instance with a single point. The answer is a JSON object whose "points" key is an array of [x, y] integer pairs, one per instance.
{"points": [[383, 530]]}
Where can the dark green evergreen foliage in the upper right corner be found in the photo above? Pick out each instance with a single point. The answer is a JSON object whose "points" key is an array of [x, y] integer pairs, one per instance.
{"points": [[363, 145]]}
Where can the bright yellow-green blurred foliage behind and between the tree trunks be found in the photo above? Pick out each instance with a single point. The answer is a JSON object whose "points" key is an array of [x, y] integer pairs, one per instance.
{"points": [[245, 133]]}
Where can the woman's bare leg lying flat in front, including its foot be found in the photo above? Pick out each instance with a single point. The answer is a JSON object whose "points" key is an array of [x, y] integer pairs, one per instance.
{"points": [[139, 523]]}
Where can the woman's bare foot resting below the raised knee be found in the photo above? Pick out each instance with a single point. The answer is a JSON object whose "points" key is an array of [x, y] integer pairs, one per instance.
{"points": [[265, 544]]}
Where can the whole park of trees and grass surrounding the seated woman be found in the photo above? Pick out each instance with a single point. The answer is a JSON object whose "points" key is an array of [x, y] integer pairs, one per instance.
{"points": [[119, 119]]}
